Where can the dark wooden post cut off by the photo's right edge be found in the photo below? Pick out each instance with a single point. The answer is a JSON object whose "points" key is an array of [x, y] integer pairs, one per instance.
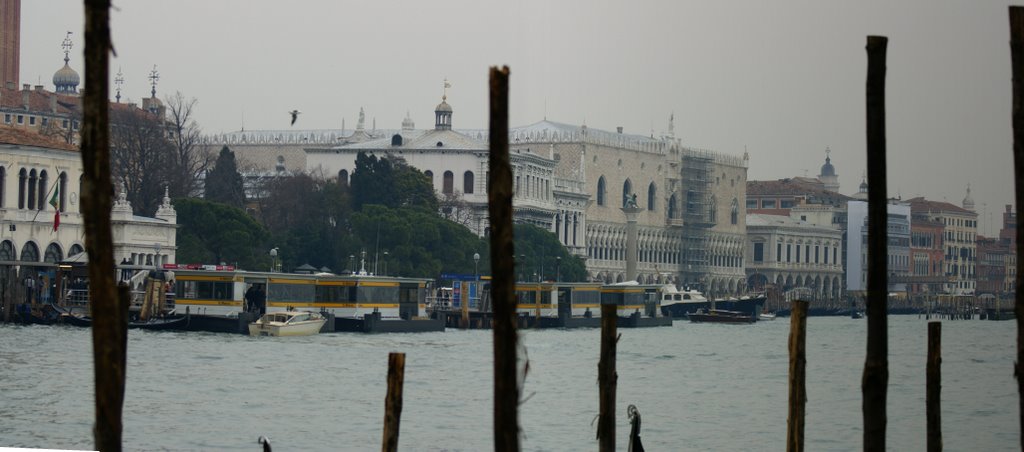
{"points": [[1017, 57]]}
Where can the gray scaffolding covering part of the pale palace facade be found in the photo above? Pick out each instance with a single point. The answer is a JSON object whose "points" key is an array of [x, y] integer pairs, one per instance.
{"points": [[696, 180]]}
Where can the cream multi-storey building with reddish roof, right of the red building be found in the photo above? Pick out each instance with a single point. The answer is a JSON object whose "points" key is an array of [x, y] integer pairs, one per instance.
{"points": [[960, 233]]}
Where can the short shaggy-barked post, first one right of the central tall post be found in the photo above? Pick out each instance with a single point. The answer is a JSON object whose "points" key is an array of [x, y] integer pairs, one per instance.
{"points": [[607, 377]]}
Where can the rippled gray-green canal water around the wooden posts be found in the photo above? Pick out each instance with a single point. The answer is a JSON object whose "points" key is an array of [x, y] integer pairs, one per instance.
{"points": [[698, 388]]}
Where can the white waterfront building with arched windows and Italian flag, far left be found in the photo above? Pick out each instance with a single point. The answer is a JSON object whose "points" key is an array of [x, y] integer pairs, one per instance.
{"points": [[39, 176]]}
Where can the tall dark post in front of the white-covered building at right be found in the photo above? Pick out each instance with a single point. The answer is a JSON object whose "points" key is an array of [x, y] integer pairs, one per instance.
{"points": [[876, 379]]}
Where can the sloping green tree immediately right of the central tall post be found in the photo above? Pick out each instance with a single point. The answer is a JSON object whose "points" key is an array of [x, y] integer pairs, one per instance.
{"points": [[540, 253]]}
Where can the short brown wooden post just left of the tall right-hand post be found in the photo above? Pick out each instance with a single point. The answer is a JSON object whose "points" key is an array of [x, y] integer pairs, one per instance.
{"points": [[798, 366]]}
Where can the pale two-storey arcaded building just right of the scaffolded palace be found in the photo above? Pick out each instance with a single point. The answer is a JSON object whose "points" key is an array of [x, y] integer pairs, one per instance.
{"points": [[792, 255]]}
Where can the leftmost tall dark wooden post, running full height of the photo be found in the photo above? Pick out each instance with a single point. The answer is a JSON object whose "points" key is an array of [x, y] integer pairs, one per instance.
{"points": [[110, 307]]}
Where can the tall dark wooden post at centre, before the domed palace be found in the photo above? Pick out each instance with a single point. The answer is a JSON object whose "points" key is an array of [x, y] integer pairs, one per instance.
{"points": [[502, 255]]}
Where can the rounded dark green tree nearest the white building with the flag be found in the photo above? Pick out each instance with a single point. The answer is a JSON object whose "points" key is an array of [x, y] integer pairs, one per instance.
{"points": [[215, 233]]}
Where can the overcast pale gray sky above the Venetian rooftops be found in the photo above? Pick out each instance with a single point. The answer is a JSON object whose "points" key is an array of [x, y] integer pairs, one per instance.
{"points": [[782, 79]]}
